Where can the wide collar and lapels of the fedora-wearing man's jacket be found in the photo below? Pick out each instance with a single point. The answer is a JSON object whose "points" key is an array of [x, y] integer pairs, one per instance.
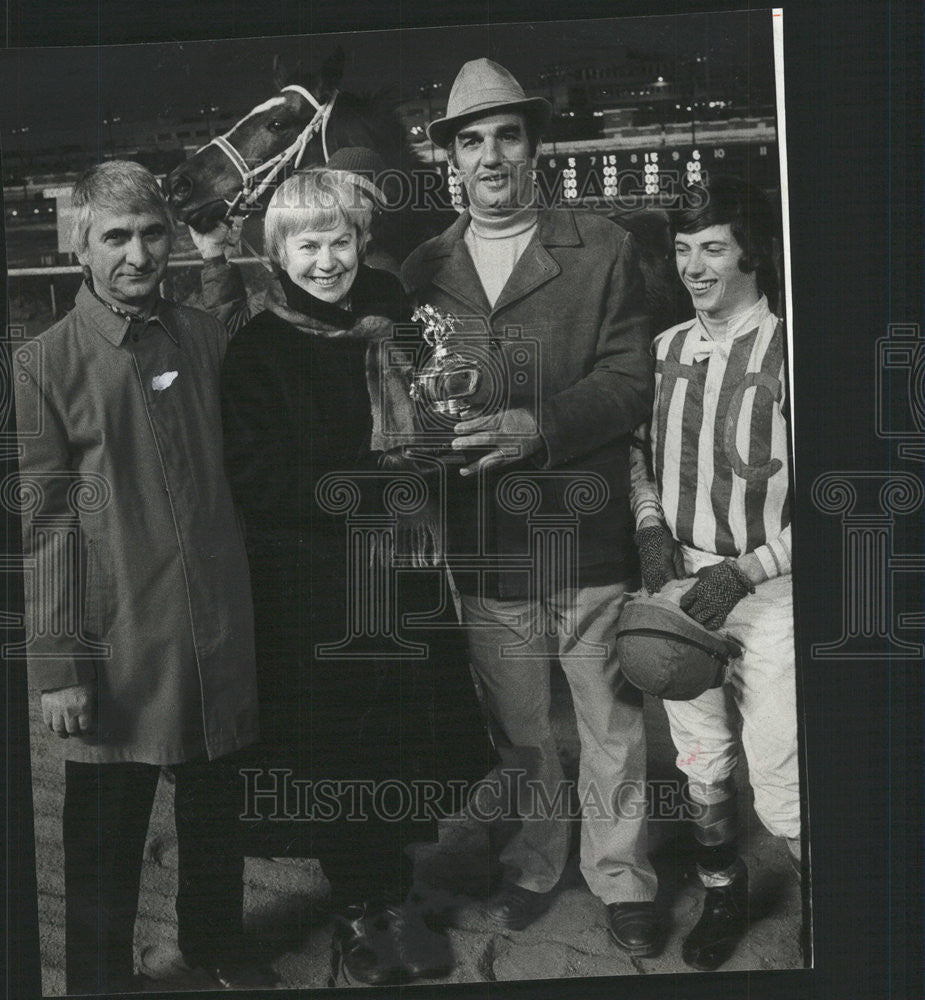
{"points": [[450, 266]]}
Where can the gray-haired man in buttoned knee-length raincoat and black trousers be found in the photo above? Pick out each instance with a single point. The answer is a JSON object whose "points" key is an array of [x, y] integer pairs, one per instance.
{"points": [[139, 620]]}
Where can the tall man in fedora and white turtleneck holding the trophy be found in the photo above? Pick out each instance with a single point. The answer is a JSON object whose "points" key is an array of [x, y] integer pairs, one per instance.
{"points": [[566, 286]]}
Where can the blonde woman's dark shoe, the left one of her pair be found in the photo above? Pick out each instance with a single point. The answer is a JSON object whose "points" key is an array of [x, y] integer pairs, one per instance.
{"points": [[363, 948]]}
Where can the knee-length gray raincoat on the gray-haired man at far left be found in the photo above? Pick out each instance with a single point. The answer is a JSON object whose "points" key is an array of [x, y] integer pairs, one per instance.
{"points": [[135, 571]]}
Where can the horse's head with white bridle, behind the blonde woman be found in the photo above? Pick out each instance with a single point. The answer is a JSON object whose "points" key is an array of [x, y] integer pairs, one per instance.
{"points": [[237, 166]]}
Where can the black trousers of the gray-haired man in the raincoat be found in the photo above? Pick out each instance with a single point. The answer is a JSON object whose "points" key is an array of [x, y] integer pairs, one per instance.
{"points": [[106, 812]]}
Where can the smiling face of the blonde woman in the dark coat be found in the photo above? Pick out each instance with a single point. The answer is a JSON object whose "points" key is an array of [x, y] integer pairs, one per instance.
{"points": [[323, 262]]}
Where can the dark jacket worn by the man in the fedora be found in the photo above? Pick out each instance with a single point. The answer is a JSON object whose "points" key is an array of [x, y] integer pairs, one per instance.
{"points": [[568, 340]]}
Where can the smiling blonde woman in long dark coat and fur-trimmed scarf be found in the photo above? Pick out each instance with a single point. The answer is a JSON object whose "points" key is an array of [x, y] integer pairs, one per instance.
{"points": [[300, 387]]}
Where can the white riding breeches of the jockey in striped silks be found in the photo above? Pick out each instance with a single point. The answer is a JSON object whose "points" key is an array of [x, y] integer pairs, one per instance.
{"points": [[763, 686]]}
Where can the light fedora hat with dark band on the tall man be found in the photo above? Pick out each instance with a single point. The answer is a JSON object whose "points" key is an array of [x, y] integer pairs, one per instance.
{"points": [[482, 87]]}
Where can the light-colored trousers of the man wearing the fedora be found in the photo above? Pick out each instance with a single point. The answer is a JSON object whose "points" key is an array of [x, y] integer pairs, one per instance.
{"points": [[512, 645]]}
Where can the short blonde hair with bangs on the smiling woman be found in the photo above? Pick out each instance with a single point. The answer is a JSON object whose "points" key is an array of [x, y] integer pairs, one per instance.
{"points": [[319, 199]]}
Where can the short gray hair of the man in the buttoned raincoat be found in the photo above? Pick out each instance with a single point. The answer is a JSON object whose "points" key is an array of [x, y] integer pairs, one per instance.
{"points": [[118, 186]]}
